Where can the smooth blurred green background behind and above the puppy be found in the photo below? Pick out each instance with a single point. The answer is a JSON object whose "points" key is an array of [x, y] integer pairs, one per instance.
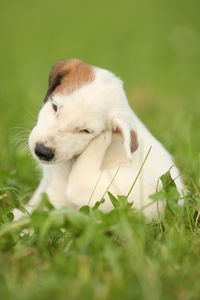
{"points": [[153, 45]]}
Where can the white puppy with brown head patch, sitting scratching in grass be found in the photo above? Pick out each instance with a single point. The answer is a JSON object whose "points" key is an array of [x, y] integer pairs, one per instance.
{"points": [[88, 141]]}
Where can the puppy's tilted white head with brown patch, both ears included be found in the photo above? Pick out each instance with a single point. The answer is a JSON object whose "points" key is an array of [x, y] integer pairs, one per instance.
{"points": [[81, 102]]}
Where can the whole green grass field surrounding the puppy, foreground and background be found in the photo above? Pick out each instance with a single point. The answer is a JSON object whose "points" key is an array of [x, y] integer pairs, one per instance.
{"points": [[154, 46]]}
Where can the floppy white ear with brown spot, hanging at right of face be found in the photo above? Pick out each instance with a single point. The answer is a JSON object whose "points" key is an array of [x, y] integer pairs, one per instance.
{"points": [[123, 126]]}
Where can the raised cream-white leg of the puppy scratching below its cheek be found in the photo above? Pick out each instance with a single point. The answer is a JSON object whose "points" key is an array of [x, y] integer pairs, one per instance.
{"points": [[86, 170]]}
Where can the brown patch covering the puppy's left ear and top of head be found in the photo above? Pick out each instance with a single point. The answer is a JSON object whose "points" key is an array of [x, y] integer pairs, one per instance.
{"points": [[69, 75]]}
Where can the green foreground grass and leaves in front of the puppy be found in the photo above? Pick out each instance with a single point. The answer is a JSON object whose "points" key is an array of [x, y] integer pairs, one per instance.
{"points": [[92, 255]]}
